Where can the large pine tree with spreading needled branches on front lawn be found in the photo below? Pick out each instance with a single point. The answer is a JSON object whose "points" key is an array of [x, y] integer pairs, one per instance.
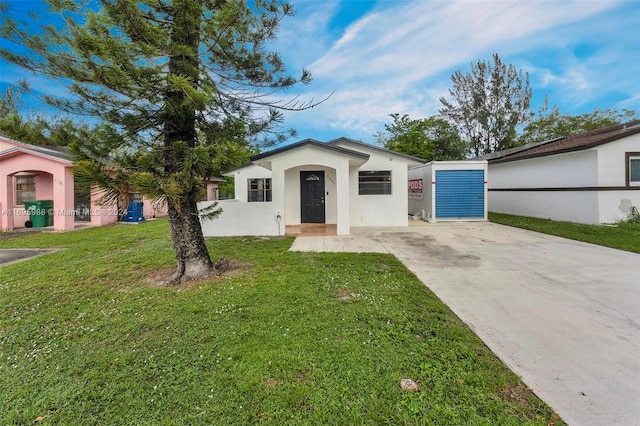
{"points": [[167, 76]]}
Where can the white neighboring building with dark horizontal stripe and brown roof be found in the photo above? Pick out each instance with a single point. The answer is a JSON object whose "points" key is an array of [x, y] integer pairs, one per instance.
{"points": [[591, 177]]}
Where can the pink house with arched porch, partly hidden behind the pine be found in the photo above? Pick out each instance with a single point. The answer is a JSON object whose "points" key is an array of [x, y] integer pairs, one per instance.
{"points": [[29, 172]]}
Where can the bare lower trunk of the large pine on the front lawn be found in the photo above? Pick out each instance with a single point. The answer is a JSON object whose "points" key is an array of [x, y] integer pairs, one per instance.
{"points": [[189, 245]]}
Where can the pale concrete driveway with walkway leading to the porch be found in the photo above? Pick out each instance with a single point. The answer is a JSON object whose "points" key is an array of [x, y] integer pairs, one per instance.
{"points": [[563, 315]]}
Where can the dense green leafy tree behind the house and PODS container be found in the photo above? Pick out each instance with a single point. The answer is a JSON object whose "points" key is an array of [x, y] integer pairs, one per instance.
{"points": [[430, 138]]}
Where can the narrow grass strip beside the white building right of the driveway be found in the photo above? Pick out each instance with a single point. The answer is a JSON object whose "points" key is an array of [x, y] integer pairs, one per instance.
{"points": [[622, 236]]}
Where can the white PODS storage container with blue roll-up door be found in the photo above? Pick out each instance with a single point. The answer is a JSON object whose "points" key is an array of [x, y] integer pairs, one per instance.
{"points": [[449, 190]]}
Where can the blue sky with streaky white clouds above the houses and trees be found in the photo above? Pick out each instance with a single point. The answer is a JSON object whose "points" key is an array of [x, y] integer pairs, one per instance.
{"points": [[383, 57]]}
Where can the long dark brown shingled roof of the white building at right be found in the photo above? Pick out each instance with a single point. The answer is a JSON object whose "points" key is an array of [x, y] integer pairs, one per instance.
{"points": [[577, 142]]}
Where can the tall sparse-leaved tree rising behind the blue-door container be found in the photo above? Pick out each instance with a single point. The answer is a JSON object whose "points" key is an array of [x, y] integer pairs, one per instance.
{"points": [[489, 104]]}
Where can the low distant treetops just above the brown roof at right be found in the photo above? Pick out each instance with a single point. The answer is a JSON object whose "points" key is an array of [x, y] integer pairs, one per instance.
{"points": [[554, 125]]}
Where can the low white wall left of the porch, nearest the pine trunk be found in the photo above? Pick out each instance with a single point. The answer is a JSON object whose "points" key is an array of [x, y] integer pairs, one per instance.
{"points": [[240, 218]]}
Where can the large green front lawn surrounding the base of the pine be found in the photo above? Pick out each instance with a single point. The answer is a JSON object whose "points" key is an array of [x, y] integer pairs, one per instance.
{"points": [[282, 338]]}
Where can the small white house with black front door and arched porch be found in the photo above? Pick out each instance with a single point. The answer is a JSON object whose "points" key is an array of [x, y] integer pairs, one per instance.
{"points": [[342, 182]]}
